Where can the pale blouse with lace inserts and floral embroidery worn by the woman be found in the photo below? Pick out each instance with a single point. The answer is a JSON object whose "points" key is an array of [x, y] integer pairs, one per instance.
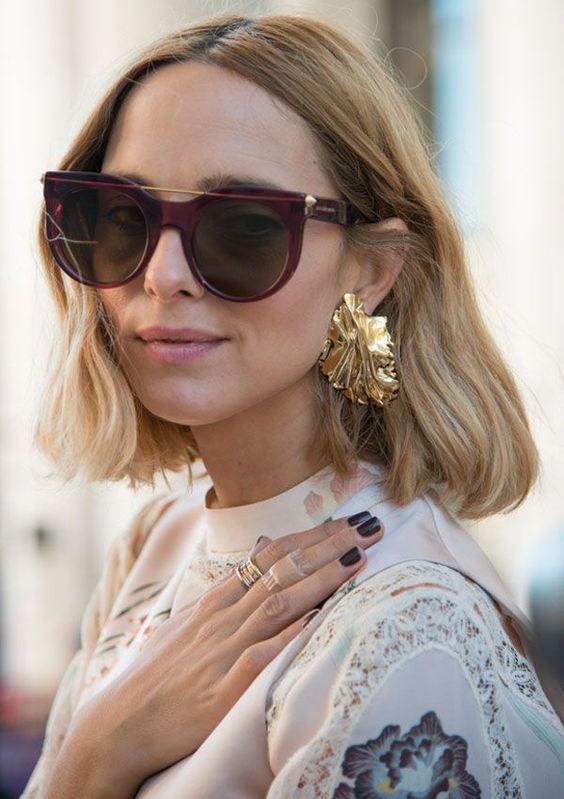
{"points": [[414, 681]]}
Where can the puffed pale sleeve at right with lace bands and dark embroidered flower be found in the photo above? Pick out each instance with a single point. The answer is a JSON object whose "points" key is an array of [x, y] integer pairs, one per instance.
{"points": [[410, 688]]}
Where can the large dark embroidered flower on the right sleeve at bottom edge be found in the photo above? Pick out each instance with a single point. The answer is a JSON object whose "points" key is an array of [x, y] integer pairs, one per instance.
{"points": [[422, 764]]}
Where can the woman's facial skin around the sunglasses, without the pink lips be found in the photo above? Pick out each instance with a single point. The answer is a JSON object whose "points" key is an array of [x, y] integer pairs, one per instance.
{"points": [[182, 124]]}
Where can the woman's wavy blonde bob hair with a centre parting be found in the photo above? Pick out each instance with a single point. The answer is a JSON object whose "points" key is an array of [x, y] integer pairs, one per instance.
{"points": [[458, 429]]}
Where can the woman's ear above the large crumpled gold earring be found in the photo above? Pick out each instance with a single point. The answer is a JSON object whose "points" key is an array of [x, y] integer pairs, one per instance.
{"points": [[375, 278]]}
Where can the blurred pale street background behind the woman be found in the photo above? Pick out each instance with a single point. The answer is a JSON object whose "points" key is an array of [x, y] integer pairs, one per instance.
{"points": [[486, 77]]}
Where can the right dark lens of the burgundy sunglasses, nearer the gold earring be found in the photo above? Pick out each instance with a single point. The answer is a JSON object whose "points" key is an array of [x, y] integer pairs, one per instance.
{"points": [[240, 247]]}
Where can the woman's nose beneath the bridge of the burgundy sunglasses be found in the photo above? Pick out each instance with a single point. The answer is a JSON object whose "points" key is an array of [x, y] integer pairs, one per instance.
{"points": [[168, 273]]}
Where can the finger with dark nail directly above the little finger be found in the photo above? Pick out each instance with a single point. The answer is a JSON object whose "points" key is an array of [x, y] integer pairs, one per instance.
{"points": [[282, 608]]}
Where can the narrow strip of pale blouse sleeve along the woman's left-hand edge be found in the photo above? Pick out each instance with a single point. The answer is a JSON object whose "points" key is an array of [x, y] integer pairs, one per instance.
{"points": [[121, 556]]}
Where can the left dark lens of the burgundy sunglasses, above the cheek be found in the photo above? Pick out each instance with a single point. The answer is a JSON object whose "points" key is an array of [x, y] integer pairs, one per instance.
{"points": [[103, 234]]}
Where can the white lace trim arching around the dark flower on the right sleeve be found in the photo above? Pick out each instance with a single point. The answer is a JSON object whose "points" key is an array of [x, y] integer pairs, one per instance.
{"points": [[427, 606]]}
